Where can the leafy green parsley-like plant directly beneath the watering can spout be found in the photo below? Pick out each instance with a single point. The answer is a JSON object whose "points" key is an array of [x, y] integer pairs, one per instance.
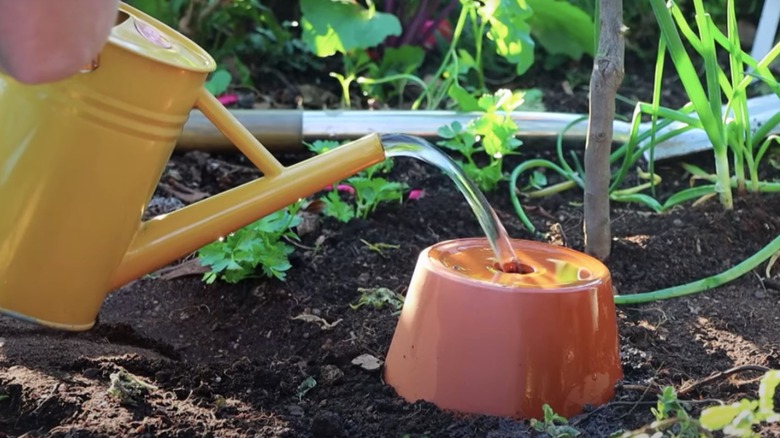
{"points": [[237, 256]]}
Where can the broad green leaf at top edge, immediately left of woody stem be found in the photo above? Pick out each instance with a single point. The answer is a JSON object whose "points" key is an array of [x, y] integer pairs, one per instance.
{"points": [[562, 28]]}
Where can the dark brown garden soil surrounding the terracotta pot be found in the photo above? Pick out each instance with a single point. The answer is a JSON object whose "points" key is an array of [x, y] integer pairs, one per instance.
{"points": [[229, 360]]}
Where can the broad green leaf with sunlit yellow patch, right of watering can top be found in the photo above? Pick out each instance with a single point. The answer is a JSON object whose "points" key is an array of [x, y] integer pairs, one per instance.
{"points": [[331, 26]]}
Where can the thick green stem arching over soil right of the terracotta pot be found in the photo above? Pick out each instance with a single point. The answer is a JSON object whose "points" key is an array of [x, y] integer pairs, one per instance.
{"points": [[706, 283]]}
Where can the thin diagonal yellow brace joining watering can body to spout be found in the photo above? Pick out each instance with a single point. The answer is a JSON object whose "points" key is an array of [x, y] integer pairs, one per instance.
{"points": [[237, 134]]}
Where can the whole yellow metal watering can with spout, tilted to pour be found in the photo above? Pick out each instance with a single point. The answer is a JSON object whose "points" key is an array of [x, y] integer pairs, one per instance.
{"points": [[80, 160]]}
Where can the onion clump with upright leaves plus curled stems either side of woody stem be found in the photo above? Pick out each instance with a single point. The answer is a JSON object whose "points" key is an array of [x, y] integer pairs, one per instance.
{"points": [[718, 106]]}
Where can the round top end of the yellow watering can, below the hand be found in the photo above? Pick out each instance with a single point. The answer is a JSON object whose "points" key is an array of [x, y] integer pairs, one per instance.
{"points": [[146, 36]]}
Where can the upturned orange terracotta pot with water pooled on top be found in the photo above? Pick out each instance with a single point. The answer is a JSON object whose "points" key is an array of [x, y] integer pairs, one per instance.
{"points": [[473, 339]]}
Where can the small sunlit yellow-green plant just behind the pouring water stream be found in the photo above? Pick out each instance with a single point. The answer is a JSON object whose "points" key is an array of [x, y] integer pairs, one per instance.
{"points": [[492, 133]]}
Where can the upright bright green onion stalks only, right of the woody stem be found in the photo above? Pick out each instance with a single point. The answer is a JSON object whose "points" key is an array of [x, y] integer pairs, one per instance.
{"points": [[727, 126]]}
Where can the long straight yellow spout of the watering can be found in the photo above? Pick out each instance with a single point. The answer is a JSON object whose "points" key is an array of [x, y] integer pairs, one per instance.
{"points": [[163, 239]]}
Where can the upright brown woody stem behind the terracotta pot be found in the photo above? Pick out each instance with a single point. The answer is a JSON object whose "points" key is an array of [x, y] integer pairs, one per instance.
{"points": [[608, 72]]}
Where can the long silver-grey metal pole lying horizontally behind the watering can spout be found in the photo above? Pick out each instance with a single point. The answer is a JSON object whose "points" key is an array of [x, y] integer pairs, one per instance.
{"points": [[286, 130]]}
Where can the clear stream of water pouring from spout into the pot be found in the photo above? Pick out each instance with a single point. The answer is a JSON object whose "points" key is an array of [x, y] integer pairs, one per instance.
{"points": [[402, 145]]}
